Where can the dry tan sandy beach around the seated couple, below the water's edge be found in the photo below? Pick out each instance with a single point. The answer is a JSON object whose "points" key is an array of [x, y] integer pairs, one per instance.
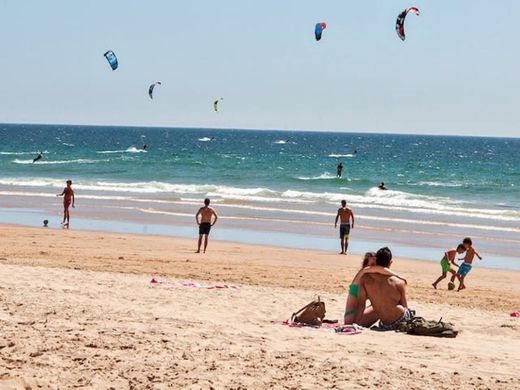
{"points": [[78, 311]]}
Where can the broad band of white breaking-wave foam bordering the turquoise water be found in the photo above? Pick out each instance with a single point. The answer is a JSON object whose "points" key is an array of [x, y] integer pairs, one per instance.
{"points": [[373, 199]]}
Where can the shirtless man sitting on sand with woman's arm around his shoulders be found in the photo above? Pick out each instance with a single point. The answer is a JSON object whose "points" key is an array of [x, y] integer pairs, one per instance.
{"points": [[387, 295]]}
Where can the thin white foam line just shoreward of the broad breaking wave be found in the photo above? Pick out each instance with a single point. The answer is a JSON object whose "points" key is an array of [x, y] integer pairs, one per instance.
{"points": [[305, 212]]}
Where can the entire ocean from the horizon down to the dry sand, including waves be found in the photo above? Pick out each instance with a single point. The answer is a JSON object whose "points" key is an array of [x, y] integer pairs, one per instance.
{"points": [[272, 187]]}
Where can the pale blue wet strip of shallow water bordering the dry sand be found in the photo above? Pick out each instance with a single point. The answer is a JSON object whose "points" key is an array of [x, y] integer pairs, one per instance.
{"points": [[152, 224]]}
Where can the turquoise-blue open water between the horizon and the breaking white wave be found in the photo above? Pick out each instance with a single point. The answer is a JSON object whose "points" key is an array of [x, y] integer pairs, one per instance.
{"points": [[484, 171]]}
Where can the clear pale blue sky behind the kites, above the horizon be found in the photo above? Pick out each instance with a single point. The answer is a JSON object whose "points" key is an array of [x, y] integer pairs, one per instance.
{"points": [[457, 72]]}
